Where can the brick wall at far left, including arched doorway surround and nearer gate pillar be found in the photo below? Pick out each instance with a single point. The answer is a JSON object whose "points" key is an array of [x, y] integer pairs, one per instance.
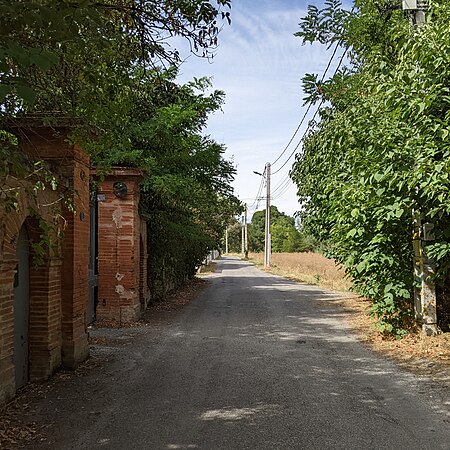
{"points": [[58, 287]]}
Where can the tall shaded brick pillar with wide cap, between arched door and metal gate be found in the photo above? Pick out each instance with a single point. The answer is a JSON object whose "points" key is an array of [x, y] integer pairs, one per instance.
{"points": [[71, 163]]}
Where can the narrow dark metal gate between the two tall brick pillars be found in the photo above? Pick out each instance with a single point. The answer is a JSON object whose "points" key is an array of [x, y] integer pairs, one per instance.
{"points": [[93, 258]]}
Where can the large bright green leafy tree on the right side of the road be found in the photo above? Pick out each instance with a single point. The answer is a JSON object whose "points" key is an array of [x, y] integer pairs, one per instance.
{"points": [[381, 148]]}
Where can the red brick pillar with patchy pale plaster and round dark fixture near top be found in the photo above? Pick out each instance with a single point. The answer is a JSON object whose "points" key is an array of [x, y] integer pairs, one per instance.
{"points": [[119, 246]]}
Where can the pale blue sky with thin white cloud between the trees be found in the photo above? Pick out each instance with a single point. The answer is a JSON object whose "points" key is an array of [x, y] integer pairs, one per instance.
{"points": [[259, 64]]}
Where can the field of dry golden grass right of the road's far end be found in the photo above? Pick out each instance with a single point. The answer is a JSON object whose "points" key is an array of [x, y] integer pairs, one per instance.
{"points": [[311, 268]]}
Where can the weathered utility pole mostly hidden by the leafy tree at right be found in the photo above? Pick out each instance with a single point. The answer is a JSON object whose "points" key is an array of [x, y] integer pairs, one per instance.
{"points": [[424, 290]]}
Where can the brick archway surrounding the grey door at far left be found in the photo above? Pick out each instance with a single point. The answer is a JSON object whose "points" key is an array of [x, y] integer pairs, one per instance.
{"points": [[44, 303]]}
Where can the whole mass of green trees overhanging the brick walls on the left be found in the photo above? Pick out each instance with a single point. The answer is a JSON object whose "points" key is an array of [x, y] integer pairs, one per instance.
{"points": [[110, 65]]}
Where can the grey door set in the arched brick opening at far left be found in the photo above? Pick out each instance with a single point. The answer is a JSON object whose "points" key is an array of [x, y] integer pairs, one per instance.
{"points": [[21, 309]]}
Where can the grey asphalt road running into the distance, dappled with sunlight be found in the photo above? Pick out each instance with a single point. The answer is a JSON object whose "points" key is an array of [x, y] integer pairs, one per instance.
{"points": [[255, 362]]}
